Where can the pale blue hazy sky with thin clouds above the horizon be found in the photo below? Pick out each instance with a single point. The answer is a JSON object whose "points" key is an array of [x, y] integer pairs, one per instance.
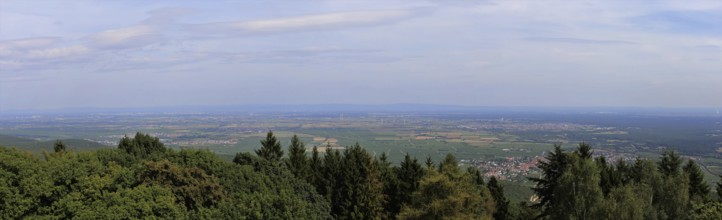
{"points": [[112, 54]]}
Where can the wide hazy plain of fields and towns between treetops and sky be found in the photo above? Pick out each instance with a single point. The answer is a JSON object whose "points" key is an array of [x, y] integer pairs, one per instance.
{"points": [[512, 141]]}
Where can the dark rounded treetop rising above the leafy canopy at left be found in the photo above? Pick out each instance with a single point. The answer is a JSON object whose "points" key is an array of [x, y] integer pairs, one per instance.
{"points": [[142, 145]]}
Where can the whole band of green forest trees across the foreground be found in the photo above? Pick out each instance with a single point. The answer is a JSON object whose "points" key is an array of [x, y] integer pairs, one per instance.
{"points": [[141, 178]]}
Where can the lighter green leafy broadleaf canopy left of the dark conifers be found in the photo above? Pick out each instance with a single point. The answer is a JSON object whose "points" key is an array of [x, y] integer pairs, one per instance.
{"points": [[116, 184]]}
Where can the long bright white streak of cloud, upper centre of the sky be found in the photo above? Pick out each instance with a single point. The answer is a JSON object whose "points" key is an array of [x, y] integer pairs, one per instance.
{"points": [[324, 21]]}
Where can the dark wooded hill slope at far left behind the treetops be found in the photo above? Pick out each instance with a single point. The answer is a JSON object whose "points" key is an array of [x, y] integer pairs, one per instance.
{"points": [[37, 147]]}
